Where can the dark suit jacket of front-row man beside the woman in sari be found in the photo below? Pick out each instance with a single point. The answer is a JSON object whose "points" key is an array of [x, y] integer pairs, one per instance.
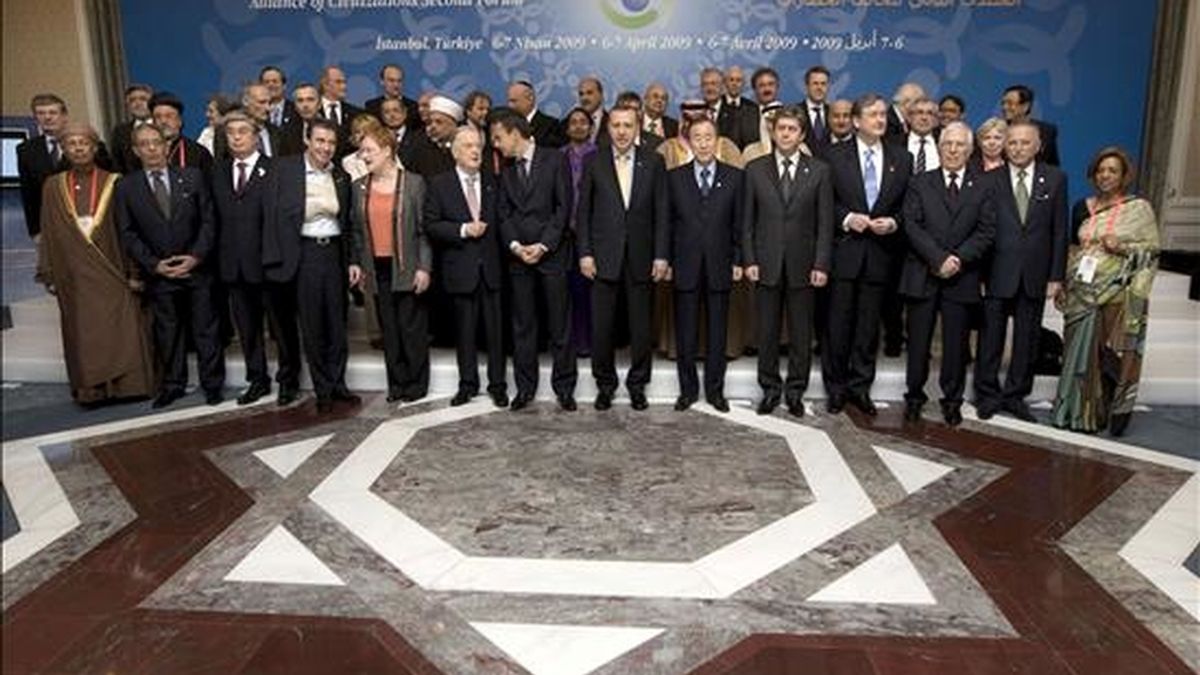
{"points": [[1029, 255]]}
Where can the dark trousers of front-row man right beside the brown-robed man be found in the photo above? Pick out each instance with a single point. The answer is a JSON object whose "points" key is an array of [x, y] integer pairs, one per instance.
{"points": [[175, 310]]}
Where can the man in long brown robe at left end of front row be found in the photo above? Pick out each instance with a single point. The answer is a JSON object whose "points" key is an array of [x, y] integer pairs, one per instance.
{"points": [[81, 261]]}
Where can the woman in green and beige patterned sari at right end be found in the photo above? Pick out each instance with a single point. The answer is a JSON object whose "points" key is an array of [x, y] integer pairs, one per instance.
{"points": [[1111, 272]]}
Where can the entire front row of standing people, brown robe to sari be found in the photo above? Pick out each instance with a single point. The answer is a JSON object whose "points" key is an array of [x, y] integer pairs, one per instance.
{"points": [[287, 238]]}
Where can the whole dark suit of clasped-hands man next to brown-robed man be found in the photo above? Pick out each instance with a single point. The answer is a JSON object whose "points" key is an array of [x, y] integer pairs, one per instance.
{"points": [[151, 236]]}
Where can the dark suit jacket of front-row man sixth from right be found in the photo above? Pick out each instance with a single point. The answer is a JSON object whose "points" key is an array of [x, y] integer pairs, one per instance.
{"points": [[706, 232]]}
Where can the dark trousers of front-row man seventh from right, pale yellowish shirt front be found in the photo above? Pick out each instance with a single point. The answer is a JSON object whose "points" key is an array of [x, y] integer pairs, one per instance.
{"points": [[640, 304]]}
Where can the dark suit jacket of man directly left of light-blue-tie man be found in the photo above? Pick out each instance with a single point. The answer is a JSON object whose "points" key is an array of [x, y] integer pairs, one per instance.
{"points": [[799, 231]]}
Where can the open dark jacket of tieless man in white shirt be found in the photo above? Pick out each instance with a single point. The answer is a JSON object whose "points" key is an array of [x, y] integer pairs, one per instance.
{"points": [[281, 234]]}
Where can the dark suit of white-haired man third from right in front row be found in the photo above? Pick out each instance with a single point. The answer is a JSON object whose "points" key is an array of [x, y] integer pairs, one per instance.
{"points": [[939, 226]]}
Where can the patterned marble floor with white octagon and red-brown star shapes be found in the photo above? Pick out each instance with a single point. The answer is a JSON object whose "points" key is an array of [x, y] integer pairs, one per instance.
{"points": [[428, 539]]}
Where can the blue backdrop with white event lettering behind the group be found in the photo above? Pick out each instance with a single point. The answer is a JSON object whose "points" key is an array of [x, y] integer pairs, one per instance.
{"points": [[1089, 62]]}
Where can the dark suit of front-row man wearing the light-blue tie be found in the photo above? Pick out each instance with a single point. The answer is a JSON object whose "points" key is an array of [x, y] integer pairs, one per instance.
{"points": [[862, 266]]}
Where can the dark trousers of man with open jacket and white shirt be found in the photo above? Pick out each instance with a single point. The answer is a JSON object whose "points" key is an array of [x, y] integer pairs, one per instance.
{"points": [[321, 291]]}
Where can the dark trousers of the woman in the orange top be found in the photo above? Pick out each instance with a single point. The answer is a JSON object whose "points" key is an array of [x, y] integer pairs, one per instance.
{"points": [[406, 336]]}
